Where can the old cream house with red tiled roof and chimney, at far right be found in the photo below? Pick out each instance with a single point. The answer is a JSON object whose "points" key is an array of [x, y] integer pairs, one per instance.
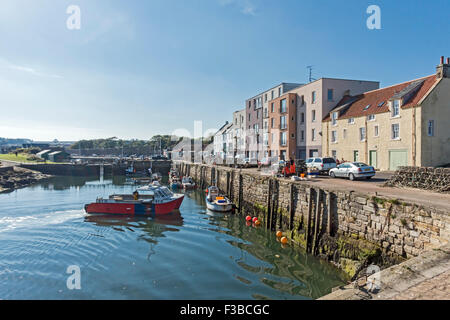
{"points": [[402, 125]]}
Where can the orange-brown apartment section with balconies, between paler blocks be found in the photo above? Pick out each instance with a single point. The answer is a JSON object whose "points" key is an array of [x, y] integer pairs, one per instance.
{"points": [[282, 127]]}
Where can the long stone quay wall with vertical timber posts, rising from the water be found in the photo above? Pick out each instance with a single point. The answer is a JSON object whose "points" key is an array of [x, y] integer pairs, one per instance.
{"points": [[350, 229]]}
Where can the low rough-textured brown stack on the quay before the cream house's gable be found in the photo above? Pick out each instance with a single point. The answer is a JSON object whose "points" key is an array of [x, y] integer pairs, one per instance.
{"points": [[437, 179]]}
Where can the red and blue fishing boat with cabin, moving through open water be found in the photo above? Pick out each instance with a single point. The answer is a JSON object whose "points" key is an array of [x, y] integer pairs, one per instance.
{"points": [[152, 200]]}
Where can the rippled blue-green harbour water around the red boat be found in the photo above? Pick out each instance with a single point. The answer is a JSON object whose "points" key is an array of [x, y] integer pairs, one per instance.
{"points": [[190, 254]]}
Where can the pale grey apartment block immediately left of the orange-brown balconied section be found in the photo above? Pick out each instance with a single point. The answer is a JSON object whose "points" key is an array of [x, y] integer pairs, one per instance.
{"points": [[256, 119]]}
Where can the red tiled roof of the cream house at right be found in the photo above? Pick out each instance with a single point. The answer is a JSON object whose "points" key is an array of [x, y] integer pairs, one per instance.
{"points": [[376, 97]]}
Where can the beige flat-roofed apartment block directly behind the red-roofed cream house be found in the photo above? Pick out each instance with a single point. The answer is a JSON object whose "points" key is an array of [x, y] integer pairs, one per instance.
{"points": [[314, 101]]}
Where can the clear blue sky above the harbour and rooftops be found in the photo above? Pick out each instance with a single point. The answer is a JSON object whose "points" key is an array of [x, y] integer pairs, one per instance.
{"points": [[140, 68]]}
